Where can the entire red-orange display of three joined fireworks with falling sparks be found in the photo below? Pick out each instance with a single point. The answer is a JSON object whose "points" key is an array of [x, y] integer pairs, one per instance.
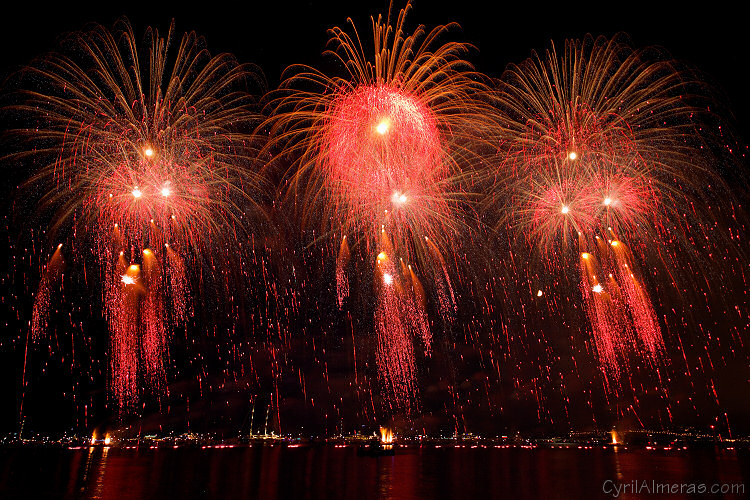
{"points": [[560, 216]]}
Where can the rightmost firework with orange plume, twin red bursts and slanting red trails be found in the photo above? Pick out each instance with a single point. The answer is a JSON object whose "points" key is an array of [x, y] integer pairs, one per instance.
{"points": [[600, 147]]}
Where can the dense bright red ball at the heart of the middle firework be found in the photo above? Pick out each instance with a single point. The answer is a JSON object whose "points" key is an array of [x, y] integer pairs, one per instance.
{"points": [[385, 156]]}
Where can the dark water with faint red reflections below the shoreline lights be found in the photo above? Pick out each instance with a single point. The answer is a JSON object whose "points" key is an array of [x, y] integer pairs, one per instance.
{"points": [[337, 472]]}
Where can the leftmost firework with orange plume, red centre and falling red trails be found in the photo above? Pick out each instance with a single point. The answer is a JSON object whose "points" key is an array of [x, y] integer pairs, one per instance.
{"points": [[149, 162]]}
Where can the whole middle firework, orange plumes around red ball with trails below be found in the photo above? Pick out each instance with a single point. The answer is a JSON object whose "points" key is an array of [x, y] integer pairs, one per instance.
{"points": [[381, 154]]}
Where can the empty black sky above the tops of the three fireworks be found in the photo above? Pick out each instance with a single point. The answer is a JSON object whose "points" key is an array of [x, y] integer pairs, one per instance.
{"points": [[274, 34]]}
